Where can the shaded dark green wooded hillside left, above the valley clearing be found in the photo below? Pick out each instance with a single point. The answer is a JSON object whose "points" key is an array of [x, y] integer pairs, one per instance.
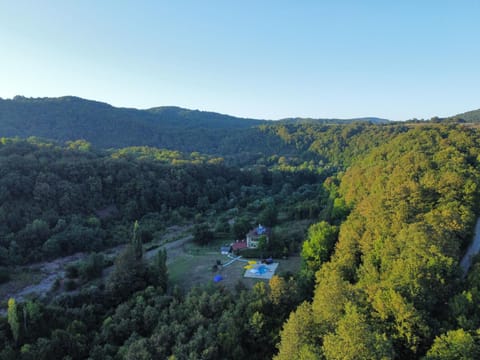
{"points": [[56, 200]]}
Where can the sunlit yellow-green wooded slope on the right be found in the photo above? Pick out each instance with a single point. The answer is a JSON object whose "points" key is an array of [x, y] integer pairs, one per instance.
{"points": [[392, 286]]}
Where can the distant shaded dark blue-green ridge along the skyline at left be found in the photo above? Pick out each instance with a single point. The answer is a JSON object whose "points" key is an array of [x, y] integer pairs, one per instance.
{"points": [[105, 126]]}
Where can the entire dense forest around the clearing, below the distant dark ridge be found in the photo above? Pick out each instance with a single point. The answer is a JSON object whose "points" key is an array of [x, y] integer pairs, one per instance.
{"points": [[391, 209]]}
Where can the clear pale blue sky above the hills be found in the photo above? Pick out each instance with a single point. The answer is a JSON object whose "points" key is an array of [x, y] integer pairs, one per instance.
{"points": [[253, 58]]}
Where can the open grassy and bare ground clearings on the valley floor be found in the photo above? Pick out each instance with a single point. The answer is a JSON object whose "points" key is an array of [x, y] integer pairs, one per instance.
{"points": [[189, 265]]}
